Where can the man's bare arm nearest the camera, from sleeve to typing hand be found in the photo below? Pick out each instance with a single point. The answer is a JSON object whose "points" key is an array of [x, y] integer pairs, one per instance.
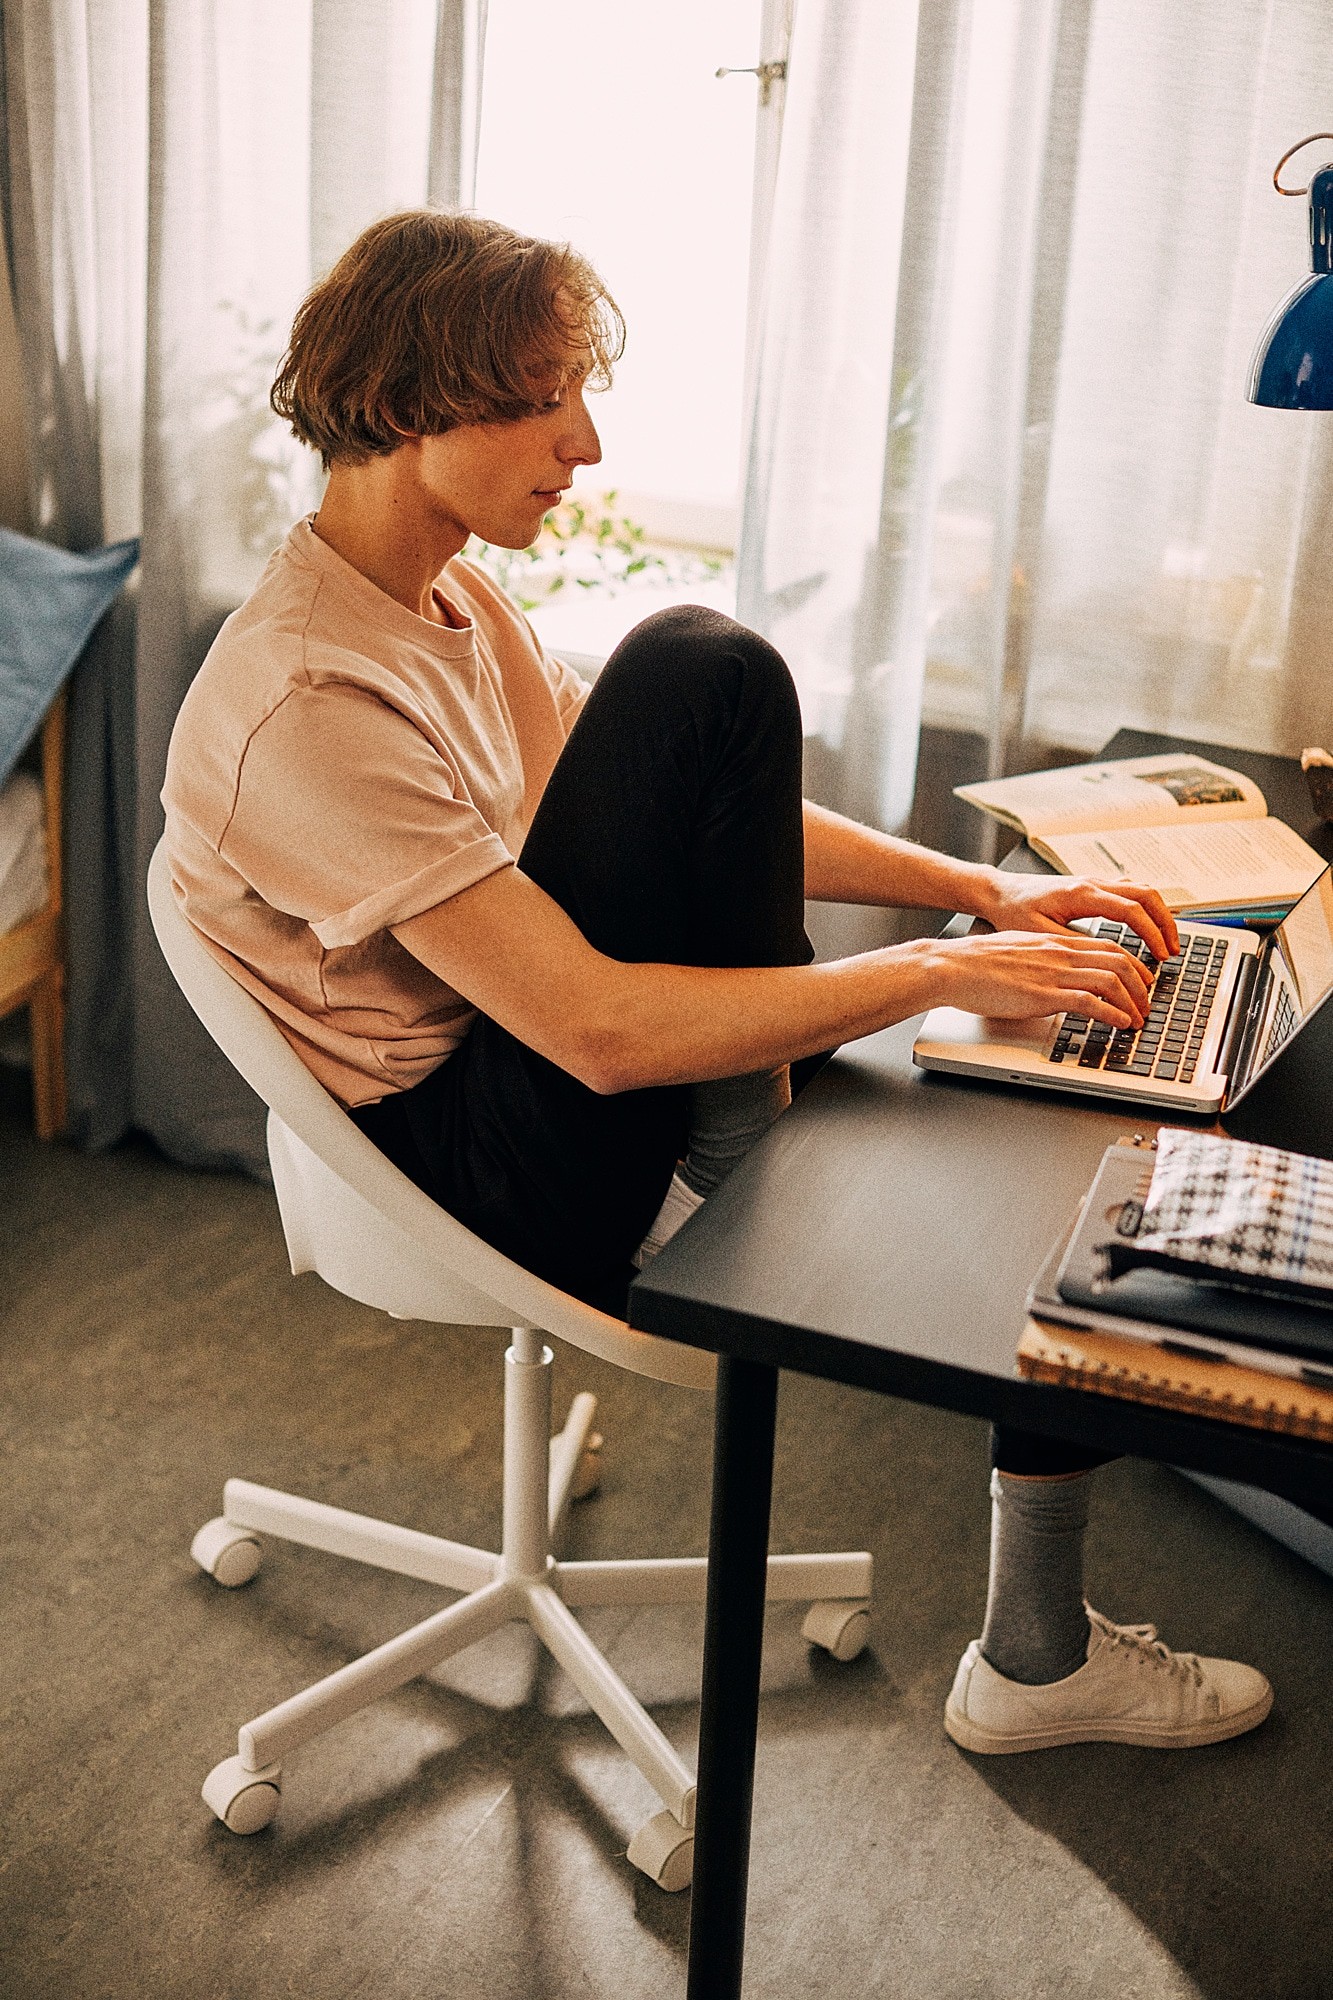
{"points": [[515, 955]]}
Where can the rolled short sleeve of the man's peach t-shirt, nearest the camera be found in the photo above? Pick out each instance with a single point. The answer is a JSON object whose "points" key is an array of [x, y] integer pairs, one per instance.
{"points": [[349, 817]]}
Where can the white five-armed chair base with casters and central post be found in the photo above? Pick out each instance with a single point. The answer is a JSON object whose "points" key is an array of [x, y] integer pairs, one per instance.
{"points": [[527, 1583]]}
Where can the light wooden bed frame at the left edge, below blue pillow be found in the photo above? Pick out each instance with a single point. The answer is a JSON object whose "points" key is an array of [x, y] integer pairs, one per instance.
{"points": [[33, 955]]}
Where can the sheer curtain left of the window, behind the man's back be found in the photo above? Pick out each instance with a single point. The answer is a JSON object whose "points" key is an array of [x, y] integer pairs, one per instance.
{"points": [[175, 175]]}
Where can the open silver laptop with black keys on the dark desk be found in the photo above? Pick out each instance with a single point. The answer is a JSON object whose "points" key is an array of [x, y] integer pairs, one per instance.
{"points": [[1218, 1017]]}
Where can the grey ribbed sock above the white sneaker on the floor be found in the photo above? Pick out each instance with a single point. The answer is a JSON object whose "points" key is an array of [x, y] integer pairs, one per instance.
{"points": [[1036, 1621]]}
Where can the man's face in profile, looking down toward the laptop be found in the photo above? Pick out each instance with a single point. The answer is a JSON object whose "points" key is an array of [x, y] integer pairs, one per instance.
{"points": [[497, 481]]}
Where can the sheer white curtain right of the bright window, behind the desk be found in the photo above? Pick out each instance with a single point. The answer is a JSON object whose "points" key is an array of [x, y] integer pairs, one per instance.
{"points": [[1004, 473]]}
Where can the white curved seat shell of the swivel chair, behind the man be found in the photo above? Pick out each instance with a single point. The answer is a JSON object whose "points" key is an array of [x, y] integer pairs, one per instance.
{"points": [[353, 1217]]}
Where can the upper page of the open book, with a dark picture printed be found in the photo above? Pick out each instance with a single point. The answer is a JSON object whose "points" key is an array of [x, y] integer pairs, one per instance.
{"points": [[1144, 791]]}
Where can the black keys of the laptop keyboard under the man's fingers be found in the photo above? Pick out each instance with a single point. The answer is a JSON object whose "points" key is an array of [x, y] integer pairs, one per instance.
{"points": [[1180, 1007]]}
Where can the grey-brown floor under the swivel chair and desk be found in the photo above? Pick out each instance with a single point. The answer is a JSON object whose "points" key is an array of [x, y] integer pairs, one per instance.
{"points": [[467, 1837]]}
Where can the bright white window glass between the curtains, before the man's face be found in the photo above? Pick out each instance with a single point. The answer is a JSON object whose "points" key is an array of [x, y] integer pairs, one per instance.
{"points": [[605, 125]]}
